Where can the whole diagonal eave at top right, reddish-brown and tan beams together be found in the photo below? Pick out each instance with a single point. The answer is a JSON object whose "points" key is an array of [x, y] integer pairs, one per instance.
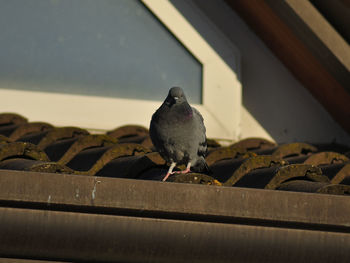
{"points": [[317, 56]]}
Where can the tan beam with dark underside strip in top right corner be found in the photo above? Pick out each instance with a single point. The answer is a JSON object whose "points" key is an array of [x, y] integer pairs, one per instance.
{"points": [[320, 38]]}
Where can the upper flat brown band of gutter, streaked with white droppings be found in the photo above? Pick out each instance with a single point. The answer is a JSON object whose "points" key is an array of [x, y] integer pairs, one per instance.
{"points": [[125, 197]]}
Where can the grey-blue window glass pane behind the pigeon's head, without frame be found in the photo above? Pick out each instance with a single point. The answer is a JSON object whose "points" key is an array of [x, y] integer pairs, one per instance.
{"points": [[101, 48]]}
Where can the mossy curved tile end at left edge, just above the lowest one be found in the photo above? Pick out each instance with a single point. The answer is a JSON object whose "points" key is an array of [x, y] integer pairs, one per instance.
{"points": [[27, 150]]}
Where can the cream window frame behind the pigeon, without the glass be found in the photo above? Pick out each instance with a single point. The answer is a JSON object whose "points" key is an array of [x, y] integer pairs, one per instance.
{"points": [[221, 101]]}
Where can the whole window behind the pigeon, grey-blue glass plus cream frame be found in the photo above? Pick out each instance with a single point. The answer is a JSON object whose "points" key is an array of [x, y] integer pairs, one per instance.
{"points": [[75, 63]]}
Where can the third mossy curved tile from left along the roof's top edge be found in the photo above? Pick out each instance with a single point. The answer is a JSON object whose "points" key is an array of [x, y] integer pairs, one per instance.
{"points": [[59, 134]]}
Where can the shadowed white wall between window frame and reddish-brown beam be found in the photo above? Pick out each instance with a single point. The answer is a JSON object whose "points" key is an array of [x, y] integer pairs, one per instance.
{"points": [[271, 94]]}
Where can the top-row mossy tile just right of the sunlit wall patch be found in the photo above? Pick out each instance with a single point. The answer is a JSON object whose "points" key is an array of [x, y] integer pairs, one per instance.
{"points": [[294, 149]]}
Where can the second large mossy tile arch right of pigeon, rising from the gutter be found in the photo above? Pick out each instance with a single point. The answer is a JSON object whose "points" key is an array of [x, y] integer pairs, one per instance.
{"points": [[297, 171]]}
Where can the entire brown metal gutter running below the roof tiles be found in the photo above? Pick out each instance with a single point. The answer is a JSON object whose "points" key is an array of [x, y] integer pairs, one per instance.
{"points": [[84, 218]]}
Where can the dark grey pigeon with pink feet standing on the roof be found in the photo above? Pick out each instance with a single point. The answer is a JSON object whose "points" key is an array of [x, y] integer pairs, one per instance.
{"points": [[177, 132]]}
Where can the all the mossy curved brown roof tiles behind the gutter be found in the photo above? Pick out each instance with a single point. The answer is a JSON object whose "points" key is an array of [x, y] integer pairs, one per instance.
{"points": [[127, 152]]}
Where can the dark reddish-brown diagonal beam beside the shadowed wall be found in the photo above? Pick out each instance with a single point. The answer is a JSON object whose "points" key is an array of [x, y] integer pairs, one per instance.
{"points": [[297, 57]]}
